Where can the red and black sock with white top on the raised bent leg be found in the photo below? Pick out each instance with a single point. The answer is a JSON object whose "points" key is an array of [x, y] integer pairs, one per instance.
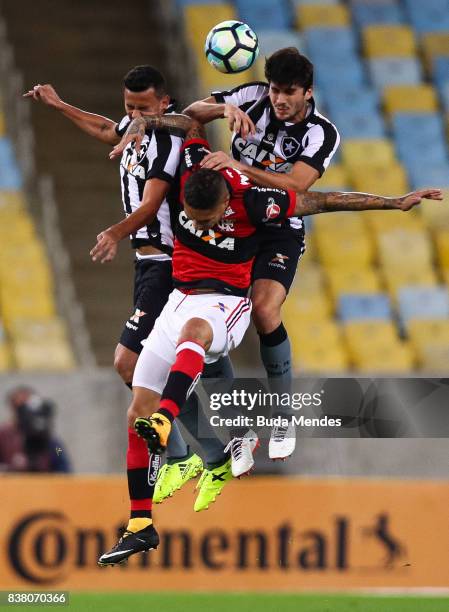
{"points": [[184, 375]]}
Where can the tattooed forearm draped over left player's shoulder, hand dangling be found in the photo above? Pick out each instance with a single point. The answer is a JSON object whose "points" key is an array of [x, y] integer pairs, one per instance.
{"points": [[175, 124]]}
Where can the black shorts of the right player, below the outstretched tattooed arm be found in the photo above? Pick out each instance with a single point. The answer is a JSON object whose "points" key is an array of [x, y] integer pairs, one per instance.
{"points": [[280, 249]]}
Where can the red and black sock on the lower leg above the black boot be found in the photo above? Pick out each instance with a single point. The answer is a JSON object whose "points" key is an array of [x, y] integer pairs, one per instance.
{"points": [[137, 461]]}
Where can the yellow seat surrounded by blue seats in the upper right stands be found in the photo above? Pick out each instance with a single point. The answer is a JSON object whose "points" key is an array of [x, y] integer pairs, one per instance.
{"points": [[410, 99]]}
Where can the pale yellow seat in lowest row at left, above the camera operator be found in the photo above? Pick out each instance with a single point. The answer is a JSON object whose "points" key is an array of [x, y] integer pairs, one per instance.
{"points": [[51, 356]]}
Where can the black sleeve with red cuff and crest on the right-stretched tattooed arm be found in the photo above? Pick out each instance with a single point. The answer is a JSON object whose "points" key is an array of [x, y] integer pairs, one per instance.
{"points": [[269, 205]]}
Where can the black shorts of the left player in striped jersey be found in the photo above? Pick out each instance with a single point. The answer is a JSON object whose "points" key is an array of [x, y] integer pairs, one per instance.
{"points": [[152, 285]]}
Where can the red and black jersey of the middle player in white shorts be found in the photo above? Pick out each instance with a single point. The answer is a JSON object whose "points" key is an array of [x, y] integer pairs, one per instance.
{"points": [[221, 258]]}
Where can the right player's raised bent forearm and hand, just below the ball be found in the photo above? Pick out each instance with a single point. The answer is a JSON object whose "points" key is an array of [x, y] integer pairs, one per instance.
{"points": [[209, 109]]}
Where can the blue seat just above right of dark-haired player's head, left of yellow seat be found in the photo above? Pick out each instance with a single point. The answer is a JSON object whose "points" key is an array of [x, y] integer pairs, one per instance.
{"points": [[330, 42]]}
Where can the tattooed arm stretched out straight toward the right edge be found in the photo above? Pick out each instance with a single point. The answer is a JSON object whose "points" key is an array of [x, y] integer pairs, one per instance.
{"points": [[315, 202]]}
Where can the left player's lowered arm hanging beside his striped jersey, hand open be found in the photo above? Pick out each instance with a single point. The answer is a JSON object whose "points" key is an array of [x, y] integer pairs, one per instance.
{"points": [[107, 241]]}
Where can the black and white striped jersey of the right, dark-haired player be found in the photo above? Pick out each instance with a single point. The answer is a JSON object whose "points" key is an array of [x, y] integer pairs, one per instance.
{"points": [[277, 145]]}
